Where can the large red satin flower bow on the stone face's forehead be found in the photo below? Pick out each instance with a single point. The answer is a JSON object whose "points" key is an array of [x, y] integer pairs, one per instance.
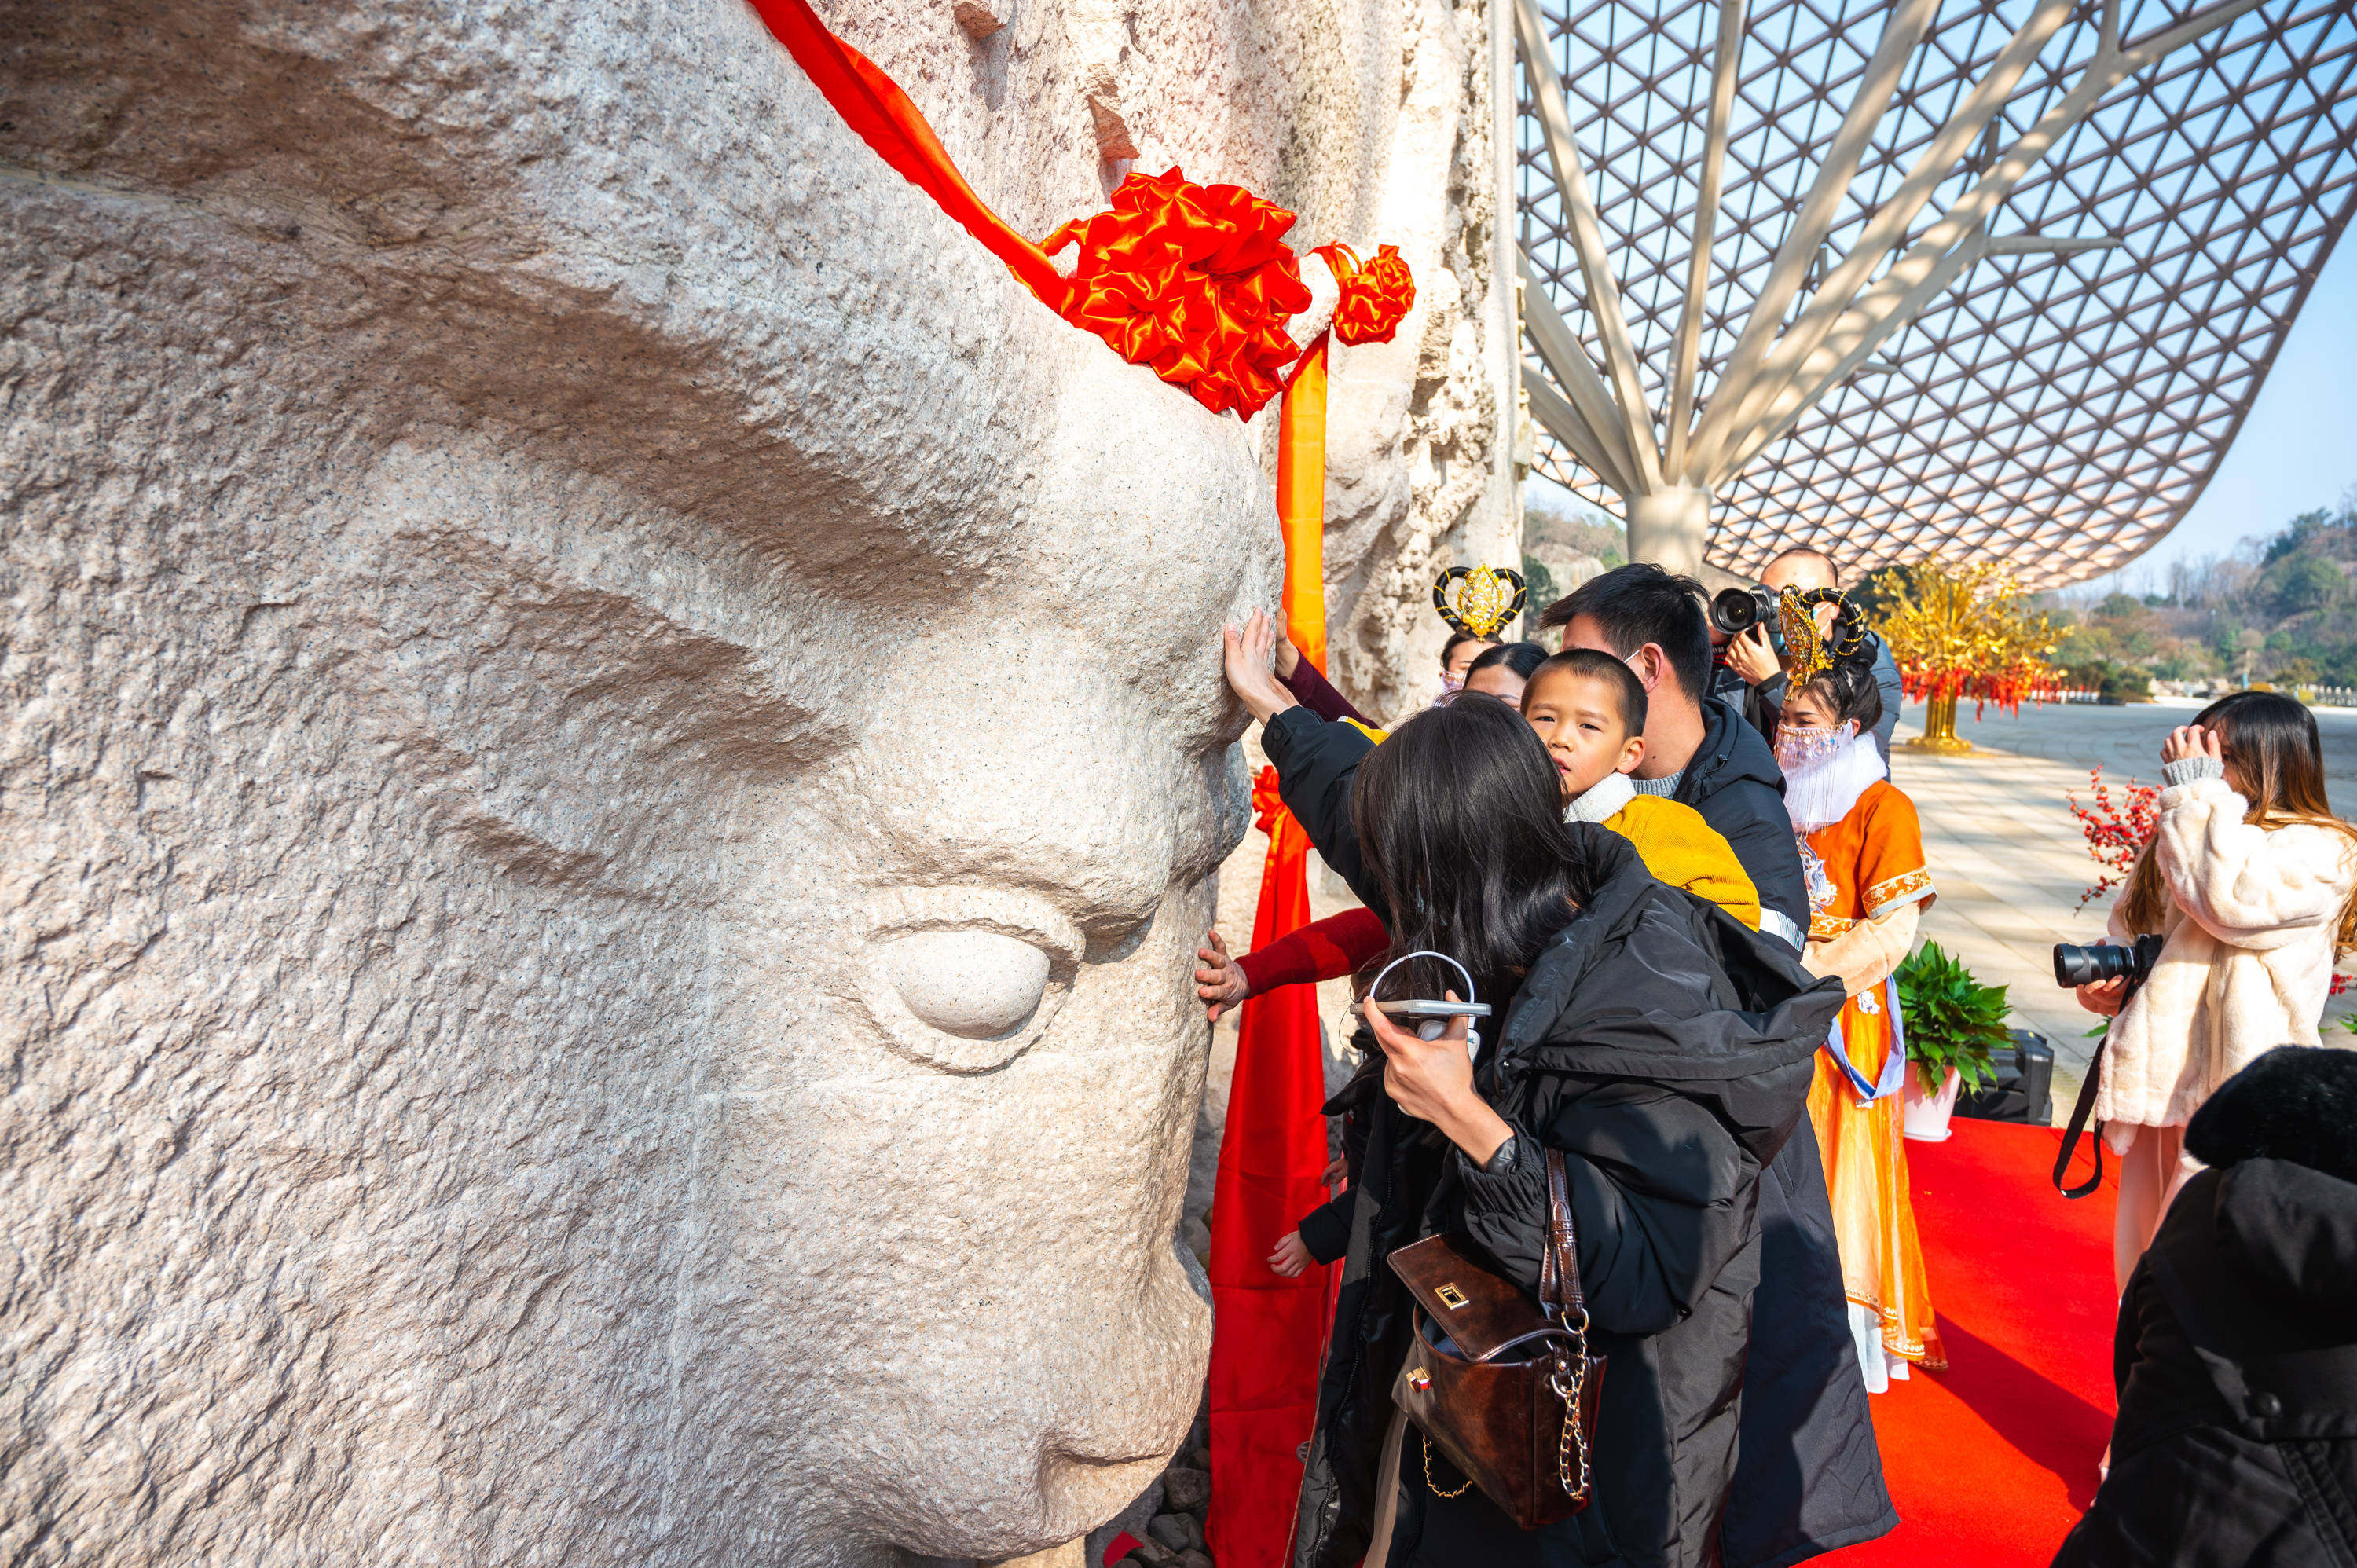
{"points": [[1194, 282]]}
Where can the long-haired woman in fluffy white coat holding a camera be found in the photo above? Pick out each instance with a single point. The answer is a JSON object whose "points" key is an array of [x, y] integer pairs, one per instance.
{"points": [[2250, 881]]}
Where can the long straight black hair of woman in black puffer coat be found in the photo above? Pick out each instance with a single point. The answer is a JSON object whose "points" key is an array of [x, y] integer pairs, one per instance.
{"points": [[1460, 822]]}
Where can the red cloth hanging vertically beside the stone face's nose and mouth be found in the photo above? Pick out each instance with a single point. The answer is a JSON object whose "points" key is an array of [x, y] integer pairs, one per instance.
{"points": [[1267, 1331]]}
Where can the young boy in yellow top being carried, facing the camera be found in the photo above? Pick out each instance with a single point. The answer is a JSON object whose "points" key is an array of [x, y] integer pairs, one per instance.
{"points": [[1590, 711]]}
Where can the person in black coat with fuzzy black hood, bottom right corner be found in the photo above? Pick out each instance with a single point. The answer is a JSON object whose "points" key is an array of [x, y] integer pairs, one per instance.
{"points": [[2236, 1357]]}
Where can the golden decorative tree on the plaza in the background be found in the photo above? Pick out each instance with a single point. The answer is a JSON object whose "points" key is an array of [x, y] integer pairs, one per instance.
{"points": [[1962, 633]]}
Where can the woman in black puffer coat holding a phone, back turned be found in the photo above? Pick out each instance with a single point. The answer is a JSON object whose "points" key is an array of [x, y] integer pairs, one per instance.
{"points": [[1651, 1039]]}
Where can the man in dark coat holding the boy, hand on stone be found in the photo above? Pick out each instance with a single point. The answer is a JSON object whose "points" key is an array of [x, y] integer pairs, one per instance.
{"points": [[1809, 1475]]}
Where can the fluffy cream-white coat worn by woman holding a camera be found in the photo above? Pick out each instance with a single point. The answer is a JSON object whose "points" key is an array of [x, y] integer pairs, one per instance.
{"points": [[2247, 958]]}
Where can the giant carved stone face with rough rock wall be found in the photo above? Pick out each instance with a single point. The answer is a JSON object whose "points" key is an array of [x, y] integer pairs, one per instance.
{"points": [[550, 600]]}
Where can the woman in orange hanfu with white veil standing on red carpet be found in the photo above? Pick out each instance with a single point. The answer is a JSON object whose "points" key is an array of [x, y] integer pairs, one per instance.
{"points": [[1868, 885]]}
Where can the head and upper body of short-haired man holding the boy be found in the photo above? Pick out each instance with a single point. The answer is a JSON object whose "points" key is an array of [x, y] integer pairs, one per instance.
{"points": [[1698, 753]]}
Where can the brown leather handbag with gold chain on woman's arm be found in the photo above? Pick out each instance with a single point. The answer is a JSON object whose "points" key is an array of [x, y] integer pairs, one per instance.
{"points": [[1510, 1395]]}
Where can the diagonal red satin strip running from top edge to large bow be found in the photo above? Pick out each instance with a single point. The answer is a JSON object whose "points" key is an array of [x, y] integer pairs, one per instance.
{"points": [[885, 119]]}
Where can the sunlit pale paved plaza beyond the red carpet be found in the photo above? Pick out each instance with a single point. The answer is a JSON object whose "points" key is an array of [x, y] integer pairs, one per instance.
{"points": [[2009, 857]]}
